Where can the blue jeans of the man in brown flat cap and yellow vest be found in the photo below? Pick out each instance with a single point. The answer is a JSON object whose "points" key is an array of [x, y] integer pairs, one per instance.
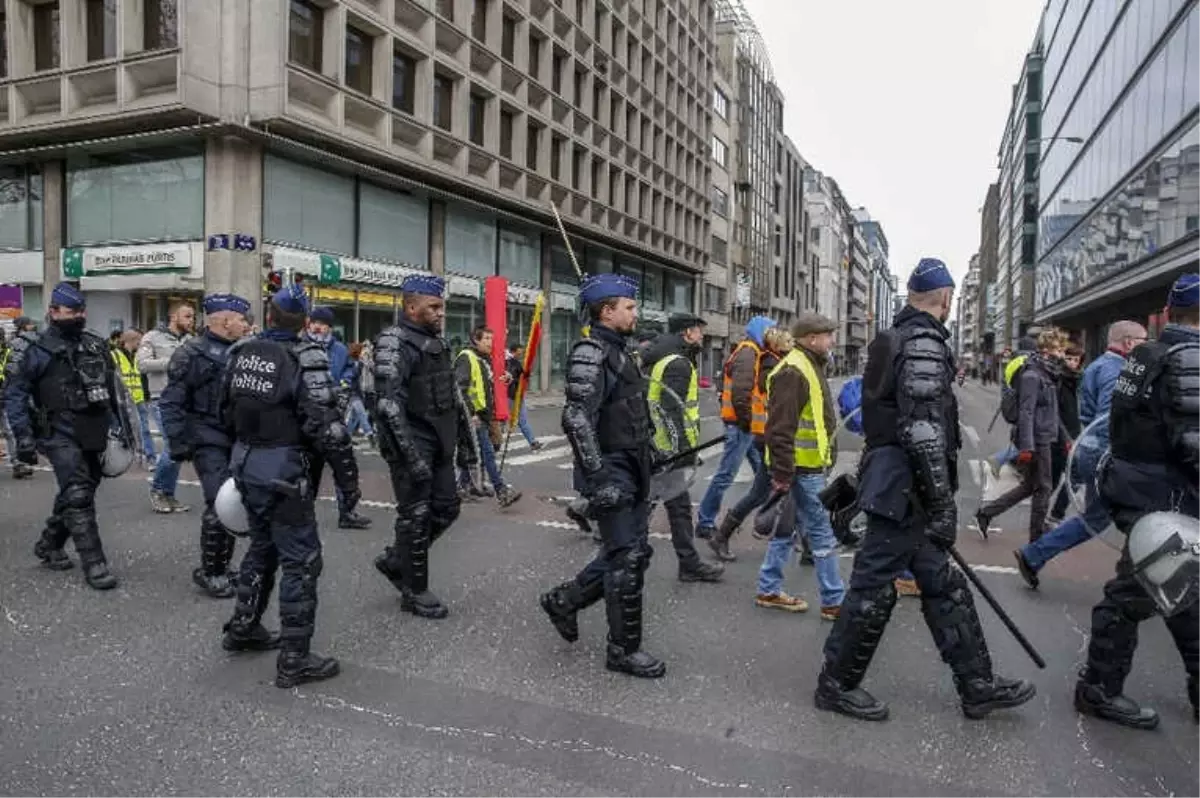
{"points": [[813, 518]]}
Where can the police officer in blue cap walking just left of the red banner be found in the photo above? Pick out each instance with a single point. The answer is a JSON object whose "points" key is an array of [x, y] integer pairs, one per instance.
{"points": [[419, 419]]}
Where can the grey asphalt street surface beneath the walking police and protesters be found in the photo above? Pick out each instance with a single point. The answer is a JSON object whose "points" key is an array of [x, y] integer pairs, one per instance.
{"points": [[129, 693]]}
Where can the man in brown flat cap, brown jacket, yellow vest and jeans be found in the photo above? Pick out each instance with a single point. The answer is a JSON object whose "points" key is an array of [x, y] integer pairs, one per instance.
{"points": [[801, 423]]}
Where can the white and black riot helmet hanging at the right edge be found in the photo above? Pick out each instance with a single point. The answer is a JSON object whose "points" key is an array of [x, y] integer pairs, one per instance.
{"points": [[1166, 553]]}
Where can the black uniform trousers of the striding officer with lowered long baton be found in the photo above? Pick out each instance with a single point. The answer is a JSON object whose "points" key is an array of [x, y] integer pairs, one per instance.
{"points": [[889, 549]]}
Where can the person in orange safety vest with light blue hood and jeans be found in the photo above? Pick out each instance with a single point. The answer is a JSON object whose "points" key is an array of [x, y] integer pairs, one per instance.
{"points": [[742, 411]]}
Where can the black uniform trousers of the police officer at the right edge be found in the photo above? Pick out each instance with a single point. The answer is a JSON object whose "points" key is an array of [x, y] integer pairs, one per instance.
{"points": [[1115, 622]]}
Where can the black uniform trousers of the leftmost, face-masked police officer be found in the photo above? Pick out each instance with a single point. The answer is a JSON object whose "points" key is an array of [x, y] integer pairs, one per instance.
{"points": [[74, 517]]}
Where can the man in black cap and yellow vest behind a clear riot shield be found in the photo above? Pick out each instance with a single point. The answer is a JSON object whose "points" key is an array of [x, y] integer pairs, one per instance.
{"points": [[674, 397]]}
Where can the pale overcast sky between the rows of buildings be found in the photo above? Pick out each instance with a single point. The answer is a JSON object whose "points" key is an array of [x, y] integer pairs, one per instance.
{"points": [[904, 103]]}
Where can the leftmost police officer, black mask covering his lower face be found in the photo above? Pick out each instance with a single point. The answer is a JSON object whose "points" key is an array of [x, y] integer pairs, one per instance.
{"points": [[61, 403]]}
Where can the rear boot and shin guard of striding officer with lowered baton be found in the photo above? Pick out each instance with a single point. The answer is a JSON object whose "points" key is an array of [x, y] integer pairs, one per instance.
{"points": [[849, 652]]}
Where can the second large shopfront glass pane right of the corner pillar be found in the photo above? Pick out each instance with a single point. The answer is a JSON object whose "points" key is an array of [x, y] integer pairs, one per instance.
{"points": [[394, 226]]}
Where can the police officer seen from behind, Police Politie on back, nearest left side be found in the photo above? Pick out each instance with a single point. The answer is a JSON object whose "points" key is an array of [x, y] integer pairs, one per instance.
{"points": [[279, 400]]}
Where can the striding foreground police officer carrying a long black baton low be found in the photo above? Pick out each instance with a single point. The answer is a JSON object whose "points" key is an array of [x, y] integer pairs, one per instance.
{"points": [[908, 482]]}
